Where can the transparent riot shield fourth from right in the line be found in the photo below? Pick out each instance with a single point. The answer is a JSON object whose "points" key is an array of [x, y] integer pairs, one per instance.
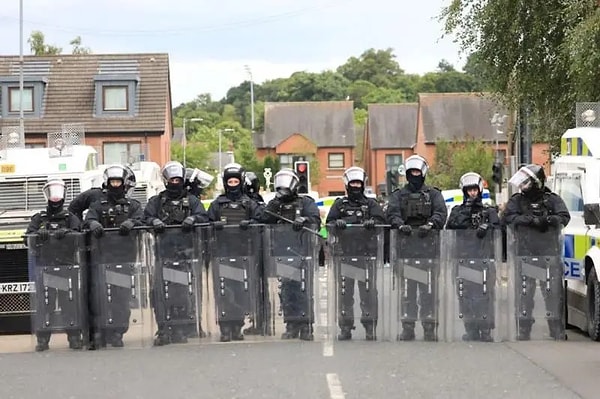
{"points": [[357, 256]]}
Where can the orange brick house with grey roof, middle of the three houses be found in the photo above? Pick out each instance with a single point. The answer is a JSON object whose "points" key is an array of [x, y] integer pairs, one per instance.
{"points": [[319, 131]]}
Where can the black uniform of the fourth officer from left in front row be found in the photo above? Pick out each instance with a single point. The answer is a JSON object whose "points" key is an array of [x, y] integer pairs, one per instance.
{"points": [[234, 209]]}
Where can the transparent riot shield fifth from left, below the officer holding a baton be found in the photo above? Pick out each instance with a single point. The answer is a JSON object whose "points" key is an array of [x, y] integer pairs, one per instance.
{"points": [[291, 281]]}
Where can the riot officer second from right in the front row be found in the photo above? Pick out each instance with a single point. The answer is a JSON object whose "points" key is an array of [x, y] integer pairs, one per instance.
{"points": [[473, 214]]}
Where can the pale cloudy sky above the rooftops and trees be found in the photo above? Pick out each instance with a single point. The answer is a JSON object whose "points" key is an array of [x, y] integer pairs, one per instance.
{"points": [[210, 42]]}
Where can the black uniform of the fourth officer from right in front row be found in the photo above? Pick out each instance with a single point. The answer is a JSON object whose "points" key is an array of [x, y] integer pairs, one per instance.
{"points": [[357, 212]]}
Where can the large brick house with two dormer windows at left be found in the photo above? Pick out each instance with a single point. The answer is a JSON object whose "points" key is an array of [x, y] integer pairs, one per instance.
{"points": [[123, 101]]}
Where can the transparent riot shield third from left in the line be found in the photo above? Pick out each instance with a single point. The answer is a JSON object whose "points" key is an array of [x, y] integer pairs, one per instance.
{"points": [[176, 283]]}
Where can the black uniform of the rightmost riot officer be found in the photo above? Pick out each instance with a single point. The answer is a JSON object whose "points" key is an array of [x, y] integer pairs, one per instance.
{"points": [[542, 210]]}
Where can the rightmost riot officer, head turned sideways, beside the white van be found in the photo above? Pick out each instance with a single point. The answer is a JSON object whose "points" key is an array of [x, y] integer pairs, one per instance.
{"points": [[535, 206]]}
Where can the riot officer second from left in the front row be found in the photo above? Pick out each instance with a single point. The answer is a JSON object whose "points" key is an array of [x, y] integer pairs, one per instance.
{"points": [[114, 209]]}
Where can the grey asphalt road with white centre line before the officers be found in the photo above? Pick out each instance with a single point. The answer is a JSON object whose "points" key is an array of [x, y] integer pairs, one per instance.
{"points": [[355, 369]]}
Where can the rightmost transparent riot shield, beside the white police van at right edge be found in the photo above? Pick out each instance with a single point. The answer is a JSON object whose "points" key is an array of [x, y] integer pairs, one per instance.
{"points": [[534, 260]]}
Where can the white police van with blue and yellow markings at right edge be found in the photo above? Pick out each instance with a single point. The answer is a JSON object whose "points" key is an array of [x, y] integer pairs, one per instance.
{"points": [[576, 179]]}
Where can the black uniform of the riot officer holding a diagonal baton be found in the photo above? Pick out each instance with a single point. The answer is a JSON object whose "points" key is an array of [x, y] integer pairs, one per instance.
{"points": [[293, 299]]}
